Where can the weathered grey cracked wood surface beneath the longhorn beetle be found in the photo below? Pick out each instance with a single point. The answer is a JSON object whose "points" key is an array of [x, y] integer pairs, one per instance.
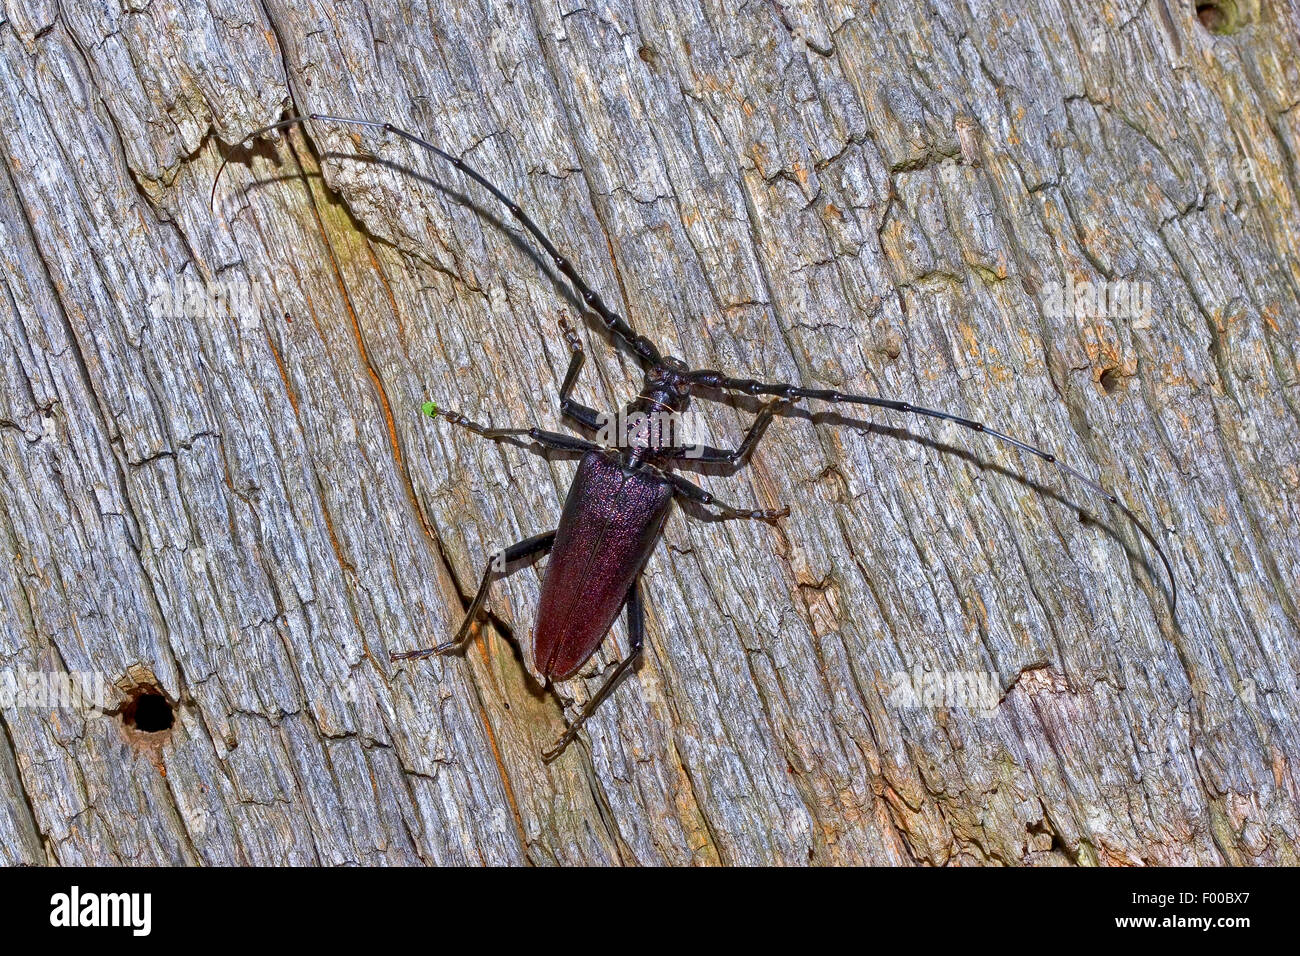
{"points": [[246, 512]]}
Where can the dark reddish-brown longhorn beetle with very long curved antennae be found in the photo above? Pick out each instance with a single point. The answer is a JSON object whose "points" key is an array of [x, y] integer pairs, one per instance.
{"points": [[619, 499]]}
